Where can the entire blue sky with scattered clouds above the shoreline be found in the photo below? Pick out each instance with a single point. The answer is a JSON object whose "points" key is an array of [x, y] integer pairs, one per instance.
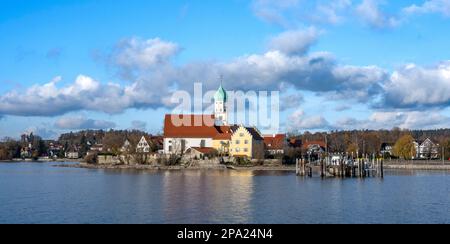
{"points": [[348, 64]]}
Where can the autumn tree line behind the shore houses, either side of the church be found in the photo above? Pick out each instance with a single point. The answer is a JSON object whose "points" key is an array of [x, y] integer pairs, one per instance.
{"points": [[355, 141]]}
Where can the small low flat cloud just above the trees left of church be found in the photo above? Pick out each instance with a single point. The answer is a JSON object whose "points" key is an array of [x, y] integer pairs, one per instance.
{"points": [[80, 123]]}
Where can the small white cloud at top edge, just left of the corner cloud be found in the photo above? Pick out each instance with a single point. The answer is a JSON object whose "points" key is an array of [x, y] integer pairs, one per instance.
{"points": [[370, 12]]}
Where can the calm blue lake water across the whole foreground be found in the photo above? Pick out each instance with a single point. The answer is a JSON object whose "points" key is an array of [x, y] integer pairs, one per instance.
{"points": [[41, 193]]}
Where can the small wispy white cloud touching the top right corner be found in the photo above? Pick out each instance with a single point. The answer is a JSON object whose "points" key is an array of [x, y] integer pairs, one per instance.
{"points": [[429, 7]]}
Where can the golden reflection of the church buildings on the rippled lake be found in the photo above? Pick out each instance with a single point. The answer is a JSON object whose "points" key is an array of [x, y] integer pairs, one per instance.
{"points": [[219, 196]]}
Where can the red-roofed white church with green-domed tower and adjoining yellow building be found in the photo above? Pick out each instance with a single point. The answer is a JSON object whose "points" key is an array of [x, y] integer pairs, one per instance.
{"points": [[214, 133]]}
